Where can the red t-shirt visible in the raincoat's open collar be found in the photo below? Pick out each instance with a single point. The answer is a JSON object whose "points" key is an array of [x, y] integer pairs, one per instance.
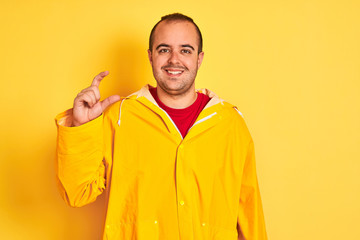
{"points": [[183, 118]]}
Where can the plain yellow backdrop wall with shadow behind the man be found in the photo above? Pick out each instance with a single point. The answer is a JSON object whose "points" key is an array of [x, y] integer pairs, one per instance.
{"points": [[292, 68]]}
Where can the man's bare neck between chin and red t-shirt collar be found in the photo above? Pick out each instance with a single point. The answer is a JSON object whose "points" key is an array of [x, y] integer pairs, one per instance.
{"points": [[177, 101]]}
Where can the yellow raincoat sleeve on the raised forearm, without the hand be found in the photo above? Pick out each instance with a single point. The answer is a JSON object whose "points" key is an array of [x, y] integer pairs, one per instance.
{"points": [[81, 168]]}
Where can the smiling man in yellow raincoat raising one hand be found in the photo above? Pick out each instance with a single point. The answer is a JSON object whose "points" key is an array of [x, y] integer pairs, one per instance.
{"points": [[175, 162]]}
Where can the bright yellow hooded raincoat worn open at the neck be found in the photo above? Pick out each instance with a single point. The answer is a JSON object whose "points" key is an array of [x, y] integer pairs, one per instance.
{"points": [[159, 185]]}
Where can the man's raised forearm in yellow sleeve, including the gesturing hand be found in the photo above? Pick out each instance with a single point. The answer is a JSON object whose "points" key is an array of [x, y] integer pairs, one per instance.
{"points": [[81, 168]]}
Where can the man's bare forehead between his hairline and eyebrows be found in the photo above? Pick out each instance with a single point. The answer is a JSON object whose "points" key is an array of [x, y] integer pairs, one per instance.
{"points": [[176, 33]]}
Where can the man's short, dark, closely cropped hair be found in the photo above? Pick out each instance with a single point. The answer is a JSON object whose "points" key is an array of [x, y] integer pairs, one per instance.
{"points": [[176, 17]]}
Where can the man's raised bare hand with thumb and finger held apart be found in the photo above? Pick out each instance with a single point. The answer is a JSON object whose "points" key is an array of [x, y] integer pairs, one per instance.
{"points": [[87, 105]]}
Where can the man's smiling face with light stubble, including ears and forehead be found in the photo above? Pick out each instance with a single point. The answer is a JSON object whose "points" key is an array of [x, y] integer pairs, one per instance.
{"points": [[174, 57]]}
